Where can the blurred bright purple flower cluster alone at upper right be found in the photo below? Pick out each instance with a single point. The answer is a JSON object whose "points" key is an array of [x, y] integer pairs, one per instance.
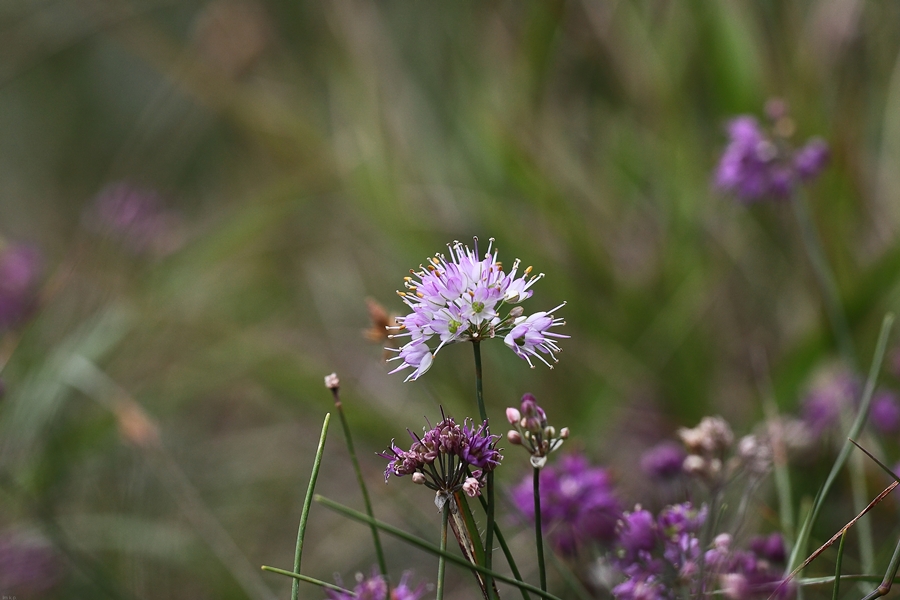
{"points": [[757, 164]]}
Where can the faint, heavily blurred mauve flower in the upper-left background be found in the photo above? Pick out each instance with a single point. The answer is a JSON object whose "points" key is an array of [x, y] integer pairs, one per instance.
{"points": [[134, 217]]}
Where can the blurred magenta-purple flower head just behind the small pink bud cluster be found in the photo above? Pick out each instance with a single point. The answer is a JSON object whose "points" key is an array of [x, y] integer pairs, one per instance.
{"points": [[578, 505]]}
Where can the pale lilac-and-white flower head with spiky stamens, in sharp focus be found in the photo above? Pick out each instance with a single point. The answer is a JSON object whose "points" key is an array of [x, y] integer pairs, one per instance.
{"points": [[467, 298]]}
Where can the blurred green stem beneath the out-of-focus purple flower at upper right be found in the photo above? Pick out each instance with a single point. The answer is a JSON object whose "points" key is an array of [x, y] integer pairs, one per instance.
{"points": [[825, 278]]}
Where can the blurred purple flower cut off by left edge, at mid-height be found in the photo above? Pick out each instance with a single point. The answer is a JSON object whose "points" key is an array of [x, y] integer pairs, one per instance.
{"points": [[20, 268]]}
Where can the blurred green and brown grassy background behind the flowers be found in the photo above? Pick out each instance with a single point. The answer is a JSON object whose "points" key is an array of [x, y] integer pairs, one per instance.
{"points": [[308, 154]]}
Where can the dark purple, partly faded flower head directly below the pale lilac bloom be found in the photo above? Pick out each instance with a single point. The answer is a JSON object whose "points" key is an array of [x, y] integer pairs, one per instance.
{"points": [[449, 457]]}
